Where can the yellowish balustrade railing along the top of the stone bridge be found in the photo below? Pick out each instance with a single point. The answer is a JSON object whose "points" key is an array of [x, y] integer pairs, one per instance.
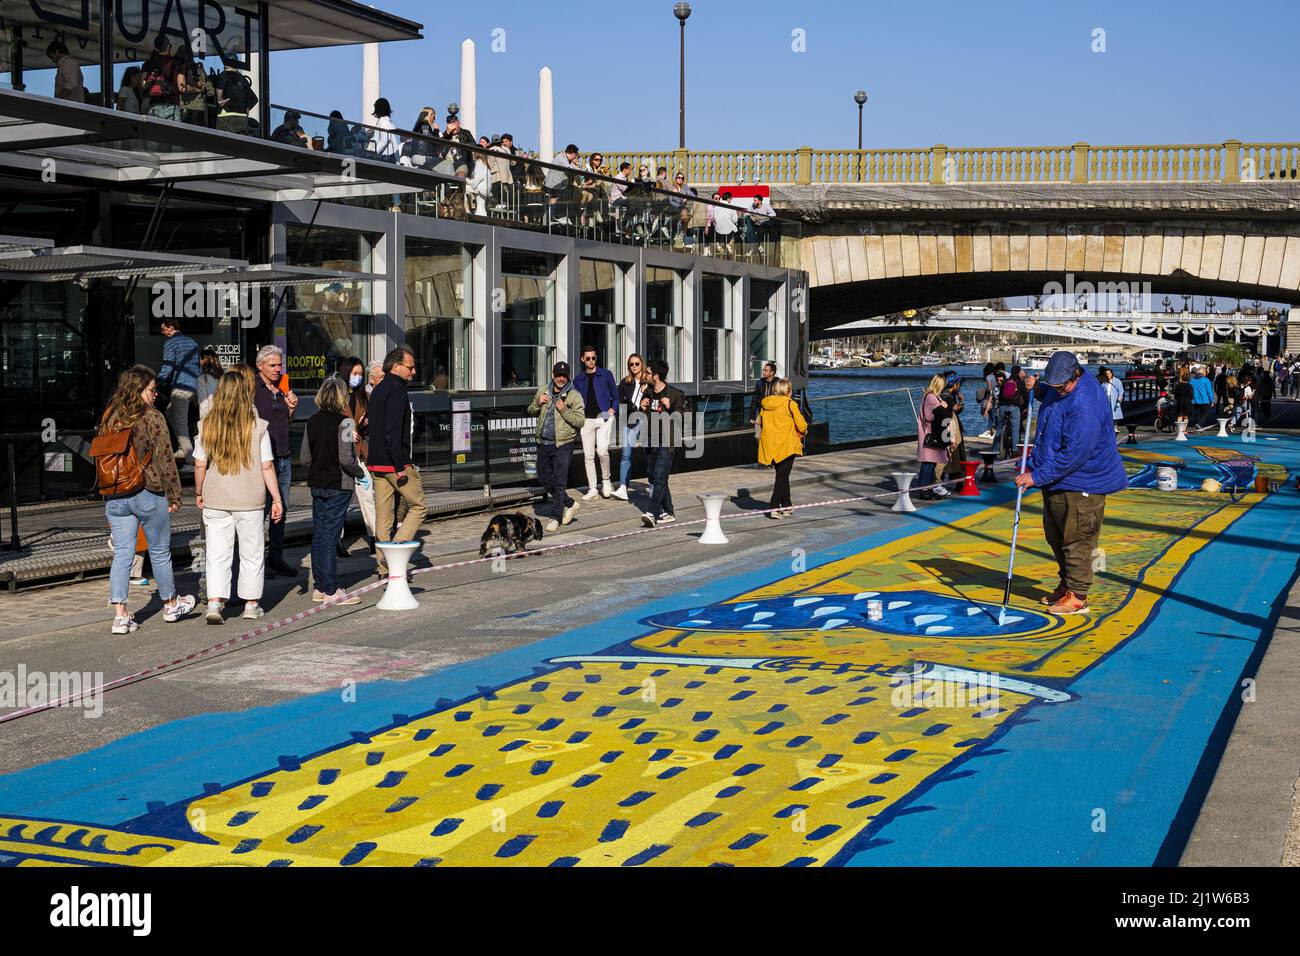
{"points": [[1229, 162]]}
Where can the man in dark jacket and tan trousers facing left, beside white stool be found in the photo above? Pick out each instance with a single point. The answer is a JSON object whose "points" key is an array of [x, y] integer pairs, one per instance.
{"points": [[389, 453]]}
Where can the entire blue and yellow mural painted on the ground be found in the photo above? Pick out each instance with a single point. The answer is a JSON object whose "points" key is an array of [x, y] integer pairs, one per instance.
{"points": [[770, 724]]}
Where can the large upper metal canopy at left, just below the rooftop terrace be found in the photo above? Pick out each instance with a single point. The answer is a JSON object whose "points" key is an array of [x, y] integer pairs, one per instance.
{"points": [[112, 148]]}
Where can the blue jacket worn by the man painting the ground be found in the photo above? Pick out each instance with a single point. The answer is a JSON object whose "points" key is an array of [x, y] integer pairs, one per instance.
{"points": [[1074, 445]]}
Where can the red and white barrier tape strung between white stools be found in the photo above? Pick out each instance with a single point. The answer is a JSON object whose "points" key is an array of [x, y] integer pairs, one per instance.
{"points": [[159, 669]]}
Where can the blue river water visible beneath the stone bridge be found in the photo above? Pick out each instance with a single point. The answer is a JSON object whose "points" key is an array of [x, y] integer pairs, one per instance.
{"points": [[891, 413]]}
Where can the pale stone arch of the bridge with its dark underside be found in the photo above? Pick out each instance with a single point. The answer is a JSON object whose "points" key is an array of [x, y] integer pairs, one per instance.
{"points": [[859, 270]]}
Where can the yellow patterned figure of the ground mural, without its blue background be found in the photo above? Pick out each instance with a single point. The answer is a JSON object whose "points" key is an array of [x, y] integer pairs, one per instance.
{"points": [[774, 726]]}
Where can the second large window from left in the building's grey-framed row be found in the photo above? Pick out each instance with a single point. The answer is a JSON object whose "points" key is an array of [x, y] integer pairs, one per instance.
{"points": [[439, 306]]}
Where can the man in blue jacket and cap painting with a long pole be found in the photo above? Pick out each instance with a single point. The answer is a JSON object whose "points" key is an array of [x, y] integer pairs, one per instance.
{"points": [[1077, 464]]}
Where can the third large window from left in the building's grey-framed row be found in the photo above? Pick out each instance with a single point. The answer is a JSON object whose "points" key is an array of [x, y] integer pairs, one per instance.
{"points": [[528, 318]]}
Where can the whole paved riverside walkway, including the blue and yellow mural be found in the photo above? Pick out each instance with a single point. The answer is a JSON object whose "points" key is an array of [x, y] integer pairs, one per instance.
{"points": [[731, 706]]}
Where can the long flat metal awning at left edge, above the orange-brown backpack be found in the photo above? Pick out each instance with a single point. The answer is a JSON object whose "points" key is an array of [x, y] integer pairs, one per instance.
{"points": [[60, 265]]}
